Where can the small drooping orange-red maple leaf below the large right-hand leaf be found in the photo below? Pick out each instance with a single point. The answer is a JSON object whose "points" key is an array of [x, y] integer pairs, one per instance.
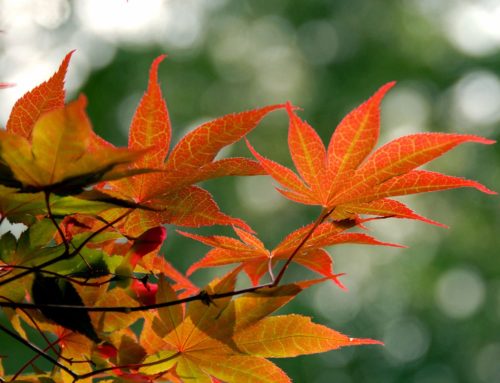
{"points": [[256, 259]]}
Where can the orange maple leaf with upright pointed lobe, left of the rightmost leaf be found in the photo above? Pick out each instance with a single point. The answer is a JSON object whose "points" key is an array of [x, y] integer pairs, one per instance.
{"points": [[171, 192]]}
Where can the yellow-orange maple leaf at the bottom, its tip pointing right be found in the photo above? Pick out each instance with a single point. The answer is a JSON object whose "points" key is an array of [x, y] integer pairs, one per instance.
{"points": [[231, 339]]}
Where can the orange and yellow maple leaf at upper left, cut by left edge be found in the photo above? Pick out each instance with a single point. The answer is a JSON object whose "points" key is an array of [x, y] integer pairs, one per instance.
{"points": [[46, 144]]}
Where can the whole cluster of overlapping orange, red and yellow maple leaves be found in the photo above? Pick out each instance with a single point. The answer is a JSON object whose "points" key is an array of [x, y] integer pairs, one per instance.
{"points": [[88, 265]]}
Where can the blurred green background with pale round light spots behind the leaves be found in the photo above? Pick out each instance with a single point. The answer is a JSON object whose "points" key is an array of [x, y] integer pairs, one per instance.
{"points": [[436, 305]]}
